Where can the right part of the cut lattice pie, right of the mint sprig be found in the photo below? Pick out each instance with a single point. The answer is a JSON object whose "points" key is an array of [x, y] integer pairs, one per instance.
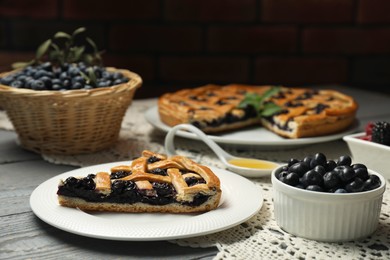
{"points": [[310, 113]]}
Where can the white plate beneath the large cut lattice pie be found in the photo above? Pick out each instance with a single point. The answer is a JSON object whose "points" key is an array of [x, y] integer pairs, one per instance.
{"points": [[252, 136]]}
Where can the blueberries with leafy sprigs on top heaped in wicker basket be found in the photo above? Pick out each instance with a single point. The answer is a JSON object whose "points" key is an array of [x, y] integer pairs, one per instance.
{"points": [[66, 62]]}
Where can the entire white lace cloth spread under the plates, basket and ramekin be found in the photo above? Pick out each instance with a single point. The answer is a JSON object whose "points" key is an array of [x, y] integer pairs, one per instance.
{"points": [[259, 237]]}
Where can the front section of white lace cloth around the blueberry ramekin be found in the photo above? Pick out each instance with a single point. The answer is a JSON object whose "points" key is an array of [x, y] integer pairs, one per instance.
{"points": [[261, 238]]}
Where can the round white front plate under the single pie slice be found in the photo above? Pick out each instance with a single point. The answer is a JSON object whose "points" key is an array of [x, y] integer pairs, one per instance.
{"points": [[241, 199]]}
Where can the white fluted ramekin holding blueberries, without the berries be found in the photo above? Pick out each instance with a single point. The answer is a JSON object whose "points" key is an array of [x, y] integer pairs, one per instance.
{"points": [[327, 217]]}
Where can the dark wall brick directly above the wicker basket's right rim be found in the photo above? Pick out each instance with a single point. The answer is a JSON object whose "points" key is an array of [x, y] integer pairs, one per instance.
{"points": [[143, 65]]}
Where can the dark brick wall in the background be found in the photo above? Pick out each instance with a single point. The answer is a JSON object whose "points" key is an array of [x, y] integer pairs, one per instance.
{"points": [[185, 43]]}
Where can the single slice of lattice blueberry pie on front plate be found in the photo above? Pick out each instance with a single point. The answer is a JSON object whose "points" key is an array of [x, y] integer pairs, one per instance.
{"points": [[151, 183]]}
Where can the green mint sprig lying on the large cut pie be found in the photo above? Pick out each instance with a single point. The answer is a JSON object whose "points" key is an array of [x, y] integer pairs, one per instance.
{"points": [[257, 101]]}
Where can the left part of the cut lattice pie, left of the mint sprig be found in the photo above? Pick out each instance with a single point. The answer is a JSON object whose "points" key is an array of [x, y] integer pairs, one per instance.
{"points": [[207, 107]]}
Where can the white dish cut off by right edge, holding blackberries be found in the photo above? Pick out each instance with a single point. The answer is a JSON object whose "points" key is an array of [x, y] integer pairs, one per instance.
{"points": [[375, 156]]}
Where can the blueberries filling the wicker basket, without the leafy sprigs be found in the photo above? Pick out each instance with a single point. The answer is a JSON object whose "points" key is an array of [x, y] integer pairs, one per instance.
{"points": [[45, 76]]}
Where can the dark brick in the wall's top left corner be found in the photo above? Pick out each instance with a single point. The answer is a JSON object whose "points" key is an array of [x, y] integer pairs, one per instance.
{"points": [[29, 8]]}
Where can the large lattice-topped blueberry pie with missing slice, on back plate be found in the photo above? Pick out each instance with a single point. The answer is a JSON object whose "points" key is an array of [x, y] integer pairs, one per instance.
{"points": [[305, 112]]}
